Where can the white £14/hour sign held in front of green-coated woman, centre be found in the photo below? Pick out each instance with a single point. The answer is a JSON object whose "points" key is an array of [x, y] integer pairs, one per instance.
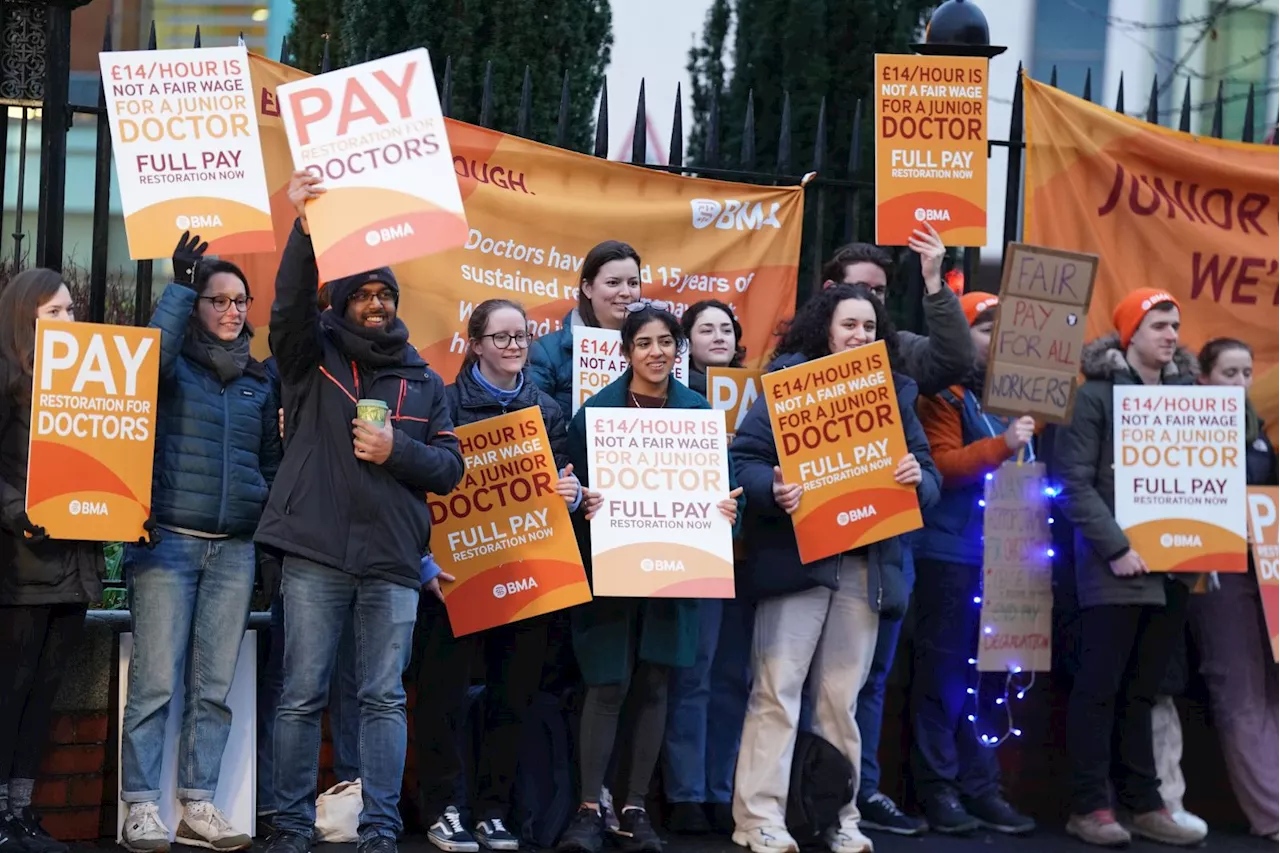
{"points": [[660, 533]]}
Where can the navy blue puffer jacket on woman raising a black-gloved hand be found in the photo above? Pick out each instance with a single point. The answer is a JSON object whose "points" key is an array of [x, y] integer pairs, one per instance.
{"points": [[218, 446]]}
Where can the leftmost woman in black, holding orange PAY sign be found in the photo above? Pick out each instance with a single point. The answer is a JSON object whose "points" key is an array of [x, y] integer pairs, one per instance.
{"points": [[45, 585]]}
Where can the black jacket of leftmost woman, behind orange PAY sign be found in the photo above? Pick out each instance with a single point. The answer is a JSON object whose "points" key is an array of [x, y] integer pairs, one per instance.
{"points": [[53, 572]]}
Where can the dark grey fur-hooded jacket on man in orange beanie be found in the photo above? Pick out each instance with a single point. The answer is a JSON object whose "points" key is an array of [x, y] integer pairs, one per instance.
{"points": [[1085, 460]]}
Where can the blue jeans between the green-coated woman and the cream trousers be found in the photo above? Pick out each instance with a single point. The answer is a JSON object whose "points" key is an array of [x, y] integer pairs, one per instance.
{"points": [[707, 706]]}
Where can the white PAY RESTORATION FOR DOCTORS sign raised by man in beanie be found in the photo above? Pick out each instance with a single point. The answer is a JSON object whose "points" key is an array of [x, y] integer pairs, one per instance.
{"points": [[374, 135]]}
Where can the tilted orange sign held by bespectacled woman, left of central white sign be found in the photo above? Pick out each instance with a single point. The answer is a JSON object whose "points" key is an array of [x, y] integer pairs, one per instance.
{"points": [[504, 532]]}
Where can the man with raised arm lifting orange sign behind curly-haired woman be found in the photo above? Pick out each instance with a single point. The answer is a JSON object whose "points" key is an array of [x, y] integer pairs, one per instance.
{"points": [[935, 362]]}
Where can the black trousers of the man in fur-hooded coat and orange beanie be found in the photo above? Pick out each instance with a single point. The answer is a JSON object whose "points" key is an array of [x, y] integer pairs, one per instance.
{"points": [[1124, 656]]}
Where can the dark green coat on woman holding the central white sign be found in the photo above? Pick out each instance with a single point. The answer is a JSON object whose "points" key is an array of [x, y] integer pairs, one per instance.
{"points": [[611, 635]]}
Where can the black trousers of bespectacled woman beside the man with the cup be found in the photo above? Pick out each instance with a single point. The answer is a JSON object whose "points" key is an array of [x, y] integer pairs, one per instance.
{"points": [[514, 658]]}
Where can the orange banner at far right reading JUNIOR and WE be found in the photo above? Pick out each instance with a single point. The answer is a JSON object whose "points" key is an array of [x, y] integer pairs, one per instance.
{"points": [[1199, 217]]}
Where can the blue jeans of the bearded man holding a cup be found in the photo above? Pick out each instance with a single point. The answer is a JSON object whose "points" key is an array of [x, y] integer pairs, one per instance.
{"points": [[317, 605]]}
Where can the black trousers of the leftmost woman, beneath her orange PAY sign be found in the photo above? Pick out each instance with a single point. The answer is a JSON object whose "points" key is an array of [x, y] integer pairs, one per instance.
{"points": [[35, 644]]}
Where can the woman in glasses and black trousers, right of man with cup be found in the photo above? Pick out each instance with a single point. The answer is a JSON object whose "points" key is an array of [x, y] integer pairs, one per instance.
{"points": [[491, 384]]}
